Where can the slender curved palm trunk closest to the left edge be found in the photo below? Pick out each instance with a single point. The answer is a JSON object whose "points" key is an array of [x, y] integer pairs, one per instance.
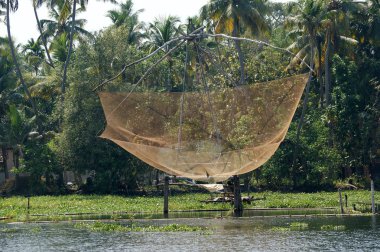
{"points": [[13, 5]]}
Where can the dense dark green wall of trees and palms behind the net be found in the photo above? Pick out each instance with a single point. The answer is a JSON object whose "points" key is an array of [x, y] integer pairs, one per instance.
{"points": [[56, 128]]}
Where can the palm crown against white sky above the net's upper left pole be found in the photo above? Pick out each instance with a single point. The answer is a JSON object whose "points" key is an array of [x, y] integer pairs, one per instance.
{"points": [[126, 17]]}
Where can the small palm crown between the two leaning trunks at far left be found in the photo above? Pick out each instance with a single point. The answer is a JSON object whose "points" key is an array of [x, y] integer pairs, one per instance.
{"points": [[34, 54]]}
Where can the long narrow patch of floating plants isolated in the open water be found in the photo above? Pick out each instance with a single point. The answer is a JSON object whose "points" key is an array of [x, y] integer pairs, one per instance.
{"points": [[133, 227]]}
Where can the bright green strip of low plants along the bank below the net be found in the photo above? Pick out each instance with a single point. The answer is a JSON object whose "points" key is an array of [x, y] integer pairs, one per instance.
{"points": [[15, 207]]}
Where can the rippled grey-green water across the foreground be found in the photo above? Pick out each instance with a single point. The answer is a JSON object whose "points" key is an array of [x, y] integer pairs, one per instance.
{"points": [[270, 233]]}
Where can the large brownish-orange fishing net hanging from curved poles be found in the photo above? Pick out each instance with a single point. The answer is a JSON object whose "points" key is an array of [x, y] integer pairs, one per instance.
{"points": [[204, 135]]}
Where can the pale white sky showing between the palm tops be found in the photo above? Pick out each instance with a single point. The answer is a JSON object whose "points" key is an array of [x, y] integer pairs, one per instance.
{"points": [[23, 24]]}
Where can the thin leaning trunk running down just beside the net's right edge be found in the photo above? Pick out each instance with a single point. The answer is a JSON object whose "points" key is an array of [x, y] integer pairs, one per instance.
{"points": [[304, 107]]}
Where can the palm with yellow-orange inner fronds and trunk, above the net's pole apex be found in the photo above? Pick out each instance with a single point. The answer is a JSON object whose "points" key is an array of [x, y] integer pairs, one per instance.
{"points": [[231, 16]]}
